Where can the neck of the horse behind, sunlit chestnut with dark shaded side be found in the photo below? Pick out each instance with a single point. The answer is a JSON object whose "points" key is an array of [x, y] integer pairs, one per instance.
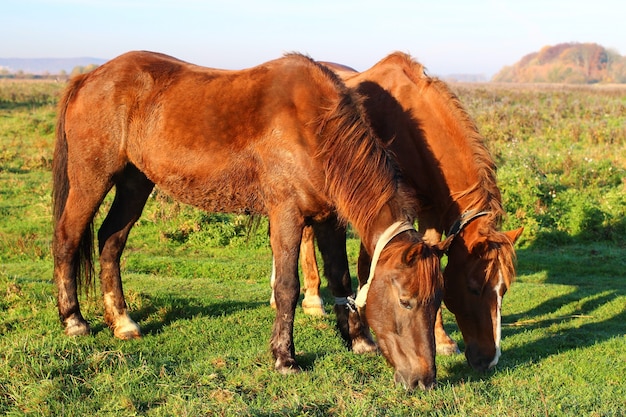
{"points": [[453, 165]]}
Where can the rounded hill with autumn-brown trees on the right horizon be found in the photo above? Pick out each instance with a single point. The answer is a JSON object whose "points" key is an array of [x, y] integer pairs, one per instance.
{"points": [[571, 63]]}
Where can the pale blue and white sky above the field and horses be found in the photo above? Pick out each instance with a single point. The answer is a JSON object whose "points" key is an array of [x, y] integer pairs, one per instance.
{"points": [[447, 36]]}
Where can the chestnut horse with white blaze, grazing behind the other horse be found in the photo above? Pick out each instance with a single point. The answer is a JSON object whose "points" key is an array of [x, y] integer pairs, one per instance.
{"points": [[444, 160]]}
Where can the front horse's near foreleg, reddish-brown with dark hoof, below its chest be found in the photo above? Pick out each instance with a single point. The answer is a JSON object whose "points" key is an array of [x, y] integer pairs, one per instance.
{"points": [[285, 242]]}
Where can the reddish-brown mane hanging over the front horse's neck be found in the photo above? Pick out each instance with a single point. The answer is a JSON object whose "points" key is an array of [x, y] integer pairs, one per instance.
{"points": [[361, 175]]}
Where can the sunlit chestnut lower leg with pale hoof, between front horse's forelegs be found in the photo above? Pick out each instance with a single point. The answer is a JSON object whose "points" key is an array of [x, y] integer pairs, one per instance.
{"points": [[312, 303]]}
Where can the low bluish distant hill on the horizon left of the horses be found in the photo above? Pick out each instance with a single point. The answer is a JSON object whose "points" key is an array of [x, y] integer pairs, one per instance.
{"points": [[40, 66]]}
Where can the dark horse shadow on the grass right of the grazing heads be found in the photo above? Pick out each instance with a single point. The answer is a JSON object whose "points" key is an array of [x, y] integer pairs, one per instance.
{"points": [[591, 276]]}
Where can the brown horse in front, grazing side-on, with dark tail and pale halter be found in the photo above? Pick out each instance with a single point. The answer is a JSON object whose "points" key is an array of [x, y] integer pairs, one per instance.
{"points": [[284, 139]]}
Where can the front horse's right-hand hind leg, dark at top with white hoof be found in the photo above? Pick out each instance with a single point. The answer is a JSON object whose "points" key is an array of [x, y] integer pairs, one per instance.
{"points": [[132, 190]]}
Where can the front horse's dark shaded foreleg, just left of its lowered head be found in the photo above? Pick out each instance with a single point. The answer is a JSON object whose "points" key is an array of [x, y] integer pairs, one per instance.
{"points": [[331, 240]]}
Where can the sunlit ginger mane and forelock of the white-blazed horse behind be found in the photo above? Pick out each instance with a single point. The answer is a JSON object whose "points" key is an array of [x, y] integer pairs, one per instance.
{"points": [[484, 195]]}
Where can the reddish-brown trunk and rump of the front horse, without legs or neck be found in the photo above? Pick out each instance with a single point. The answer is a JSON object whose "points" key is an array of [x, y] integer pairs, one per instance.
{"points": [[208, 137]]}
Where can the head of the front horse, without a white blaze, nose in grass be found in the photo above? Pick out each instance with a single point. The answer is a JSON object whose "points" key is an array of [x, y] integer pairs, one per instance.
{"points": [[402, 303]]}
